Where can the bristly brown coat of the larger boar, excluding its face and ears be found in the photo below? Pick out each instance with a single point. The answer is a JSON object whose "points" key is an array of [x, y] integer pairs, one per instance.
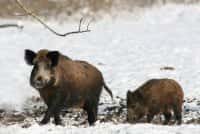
{"points": [[76, 84]]}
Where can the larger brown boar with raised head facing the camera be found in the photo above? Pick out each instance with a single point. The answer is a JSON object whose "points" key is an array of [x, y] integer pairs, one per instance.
{"points": [[63, 82]]}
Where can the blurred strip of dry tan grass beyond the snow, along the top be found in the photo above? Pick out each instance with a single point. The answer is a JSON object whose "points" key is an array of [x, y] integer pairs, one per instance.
{"points": [[47, 8]]}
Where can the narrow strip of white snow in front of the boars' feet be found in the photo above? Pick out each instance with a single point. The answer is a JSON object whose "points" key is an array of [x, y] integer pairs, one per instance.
{"points": [[105, 129]]}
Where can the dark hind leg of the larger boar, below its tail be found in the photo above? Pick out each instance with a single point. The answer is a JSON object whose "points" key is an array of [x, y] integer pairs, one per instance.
{"points": [[91, 109]]}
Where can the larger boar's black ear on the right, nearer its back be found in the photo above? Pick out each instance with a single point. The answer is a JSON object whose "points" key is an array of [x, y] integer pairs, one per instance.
{"points": [[54, 57]]}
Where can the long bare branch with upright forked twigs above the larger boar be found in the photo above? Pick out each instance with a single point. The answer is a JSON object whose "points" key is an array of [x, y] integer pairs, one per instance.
{"points": [[30, 13]]}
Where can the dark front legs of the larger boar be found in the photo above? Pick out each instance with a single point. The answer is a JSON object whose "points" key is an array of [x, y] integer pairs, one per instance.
{"points": [[54, 106]]}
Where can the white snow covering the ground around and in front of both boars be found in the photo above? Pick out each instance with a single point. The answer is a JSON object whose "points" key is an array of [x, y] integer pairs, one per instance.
{"points": [[129, 50]]}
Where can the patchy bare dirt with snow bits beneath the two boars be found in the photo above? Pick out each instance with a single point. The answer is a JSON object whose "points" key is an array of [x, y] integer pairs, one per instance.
{"points": [[114, 112]]}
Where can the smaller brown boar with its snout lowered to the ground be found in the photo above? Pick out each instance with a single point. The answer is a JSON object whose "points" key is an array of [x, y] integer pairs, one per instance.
{"points": [[154, 97]]}
